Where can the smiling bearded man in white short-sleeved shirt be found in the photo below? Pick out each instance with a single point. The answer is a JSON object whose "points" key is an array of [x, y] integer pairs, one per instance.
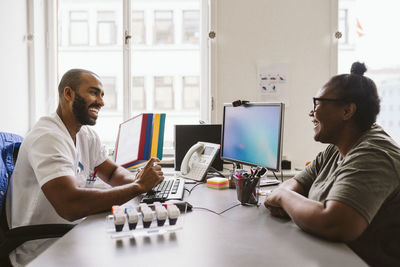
{"points": [[56, 158]]}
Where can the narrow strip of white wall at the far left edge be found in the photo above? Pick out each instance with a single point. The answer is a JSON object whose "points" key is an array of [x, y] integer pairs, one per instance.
{"points": [[13, 67]]}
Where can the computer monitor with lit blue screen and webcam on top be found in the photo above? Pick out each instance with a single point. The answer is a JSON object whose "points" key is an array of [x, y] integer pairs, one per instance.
{"points": [[252, 134]]}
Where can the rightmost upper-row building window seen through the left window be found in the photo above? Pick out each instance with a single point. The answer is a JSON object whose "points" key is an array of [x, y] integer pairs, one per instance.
{"points": [[191, 26]]}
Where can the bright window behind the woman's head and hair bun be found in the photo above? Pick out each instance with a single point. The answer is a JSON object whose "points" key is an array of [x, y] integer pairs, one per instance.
{"points": [[375, 42]]}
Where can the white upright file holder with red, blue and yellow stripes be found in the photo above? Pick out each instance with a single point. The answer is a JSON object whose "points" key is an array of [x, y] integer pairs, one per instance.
{"points": [[139, 139]]}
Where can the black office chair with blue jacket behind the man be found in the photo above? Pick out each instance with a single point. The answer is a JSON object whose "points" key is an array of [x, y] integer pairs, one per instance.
{"points": [[12, 238]]}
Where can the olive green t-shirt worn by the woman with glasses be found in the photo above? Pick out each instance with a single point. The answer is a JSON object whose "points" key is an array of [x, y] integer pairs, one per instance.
{"points": [[368, 180]]}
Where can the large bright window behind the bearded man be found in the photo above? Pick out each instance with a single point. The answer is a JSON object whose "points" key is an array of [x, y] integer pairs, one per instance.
{"points": [[138, 78]]}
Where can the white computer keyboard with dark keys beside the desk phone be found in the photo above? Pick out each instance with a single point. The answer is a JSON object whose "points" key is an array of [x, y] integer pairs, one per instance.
{"points": [[170, 189]]}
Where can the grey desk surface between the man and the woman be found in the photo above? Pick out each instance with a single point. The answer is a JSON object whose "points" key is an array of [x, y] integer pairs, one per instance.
{"points": [[242, 236]]}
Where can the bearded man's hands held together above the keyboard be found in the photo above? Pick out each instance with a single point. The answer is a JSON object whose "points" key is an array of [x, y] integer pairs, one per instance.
{"points": [[150, 176]]}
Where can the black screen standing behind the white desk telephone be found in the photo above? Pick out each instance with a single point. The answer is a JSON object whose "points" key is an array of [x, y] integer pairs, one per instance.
{"points": [[188, 135]]}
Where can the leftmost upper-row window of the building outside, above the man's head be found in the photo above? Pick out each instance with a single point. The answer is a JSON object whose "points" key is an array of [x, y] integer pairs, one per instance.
{"points": [[79, 28]]}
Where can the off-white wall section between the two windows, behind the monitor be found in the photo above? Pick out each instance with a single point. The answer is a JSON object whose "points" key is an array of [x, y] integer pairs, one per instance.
{"points": [[296, 32]]}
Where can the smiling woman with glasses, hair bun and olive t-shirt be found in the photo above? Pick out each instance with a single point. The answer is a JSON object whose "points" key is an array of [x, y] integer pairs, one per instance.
{"points": [[351, 191]]}
